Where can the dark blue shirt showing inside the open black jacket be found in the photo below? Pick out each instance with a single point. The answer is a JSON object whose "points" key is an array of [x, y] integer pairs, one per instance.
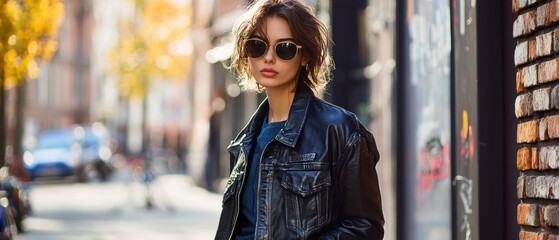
{"points": [[248, 197]]}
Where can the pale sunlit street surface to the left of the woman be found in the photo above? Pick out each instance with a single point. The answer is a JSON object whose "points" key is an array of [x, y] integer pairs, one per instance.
{"points": [[117, 210]]}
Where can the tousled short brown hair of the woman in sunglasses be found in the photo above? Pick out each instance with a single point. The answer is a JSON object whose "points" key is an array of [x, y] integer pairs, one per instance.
{"points": [[307, 30]]}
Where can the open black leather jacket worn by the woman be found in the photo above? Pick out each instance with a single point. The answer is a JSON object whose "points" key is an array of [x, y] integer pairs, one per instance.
{"points": [[317, 177]]}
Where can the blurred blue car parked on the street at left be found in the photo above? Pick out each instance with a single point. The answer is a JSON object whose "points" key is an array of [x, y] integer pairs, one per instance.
{"points": [[56, 154]]}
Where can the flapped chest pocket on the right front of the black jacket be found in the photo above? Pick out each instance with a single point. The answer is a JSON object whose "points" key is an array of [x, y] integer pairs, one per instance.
{"points": [[306, 197]]}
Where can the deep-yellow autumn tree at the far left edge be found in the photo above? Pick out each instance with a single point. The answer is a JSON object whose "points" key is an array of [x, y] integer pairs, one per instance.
{"points": [[28, 31]]}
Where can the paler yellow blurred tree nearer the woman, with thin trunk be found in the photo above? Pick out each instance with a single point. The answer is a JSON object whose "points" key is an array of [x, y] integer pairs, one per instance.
{"points": [[153, 44]]}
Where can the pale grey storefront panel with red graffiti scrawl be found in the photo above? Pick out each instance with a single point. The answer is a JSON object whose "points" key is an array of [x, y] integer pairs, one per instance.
{"points": [[426, 138]]}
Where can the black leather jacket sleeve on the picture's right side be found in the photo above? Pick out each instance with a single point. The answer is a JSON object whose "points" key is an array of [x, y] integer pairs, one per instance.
{"points": [[361, 216]]}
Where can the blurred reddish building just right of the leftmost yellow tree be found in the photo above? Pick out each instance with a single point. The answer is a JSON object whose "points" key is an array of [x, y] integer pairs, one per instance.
{"points": [[61, 96]]}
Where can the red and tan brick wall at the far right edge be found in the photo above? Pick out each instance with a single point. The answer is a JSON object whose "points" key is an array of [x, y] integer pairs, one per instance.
{"points": [[536, 57]]}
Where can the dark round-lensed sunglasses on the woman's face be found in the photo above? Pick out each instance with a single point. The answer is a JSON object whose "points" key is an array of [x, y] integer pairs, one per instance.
{"points": [[285, 50]]}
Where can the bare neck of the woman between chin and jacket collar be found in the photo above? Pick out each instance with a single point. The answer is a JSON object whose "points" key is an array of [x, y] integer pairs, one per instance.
{"points": [[280, 104]]}
